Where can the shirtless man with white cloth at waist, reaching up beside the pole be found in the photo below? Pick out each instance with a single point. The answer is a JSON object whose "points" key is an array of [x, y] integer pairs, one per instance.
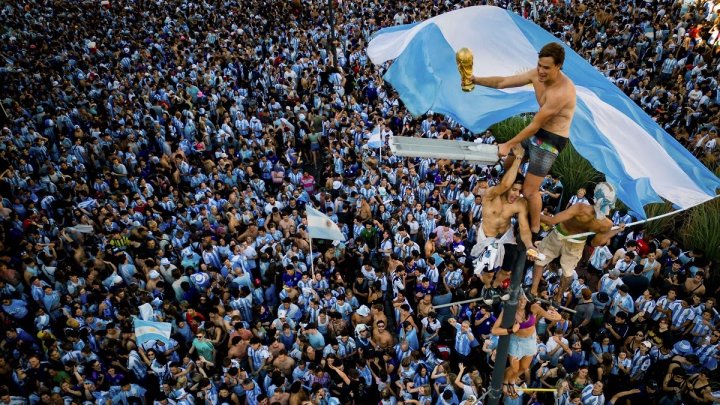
{"points": [[495, 247]]}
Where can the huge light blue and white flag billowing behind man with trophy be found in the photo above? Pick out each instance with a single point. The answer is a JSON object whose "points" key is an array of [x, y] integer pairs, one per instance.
{"points": [[642, 161]]}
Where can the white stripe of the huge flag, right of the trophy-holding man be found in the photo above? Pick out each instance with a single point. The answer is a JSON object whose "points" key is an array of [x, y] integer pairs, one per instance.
{"points": [[642, 156]]}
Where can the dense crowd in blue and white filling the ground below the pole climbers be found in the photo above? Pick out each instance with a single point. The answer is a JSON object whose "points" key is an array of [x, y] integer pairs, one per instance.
{"points": [[163, 153]]}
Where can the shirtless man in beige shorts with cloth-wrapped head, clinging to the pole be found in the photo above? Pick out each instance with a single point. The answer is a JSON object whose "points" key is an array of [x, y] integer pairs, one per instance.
{"points": [[579, 218]]}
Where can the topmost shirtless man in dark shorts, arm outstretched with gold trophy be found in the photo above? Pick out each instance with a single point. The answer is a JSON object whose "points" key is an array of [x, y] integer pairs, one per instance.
{"points": [[548, 132]]}
